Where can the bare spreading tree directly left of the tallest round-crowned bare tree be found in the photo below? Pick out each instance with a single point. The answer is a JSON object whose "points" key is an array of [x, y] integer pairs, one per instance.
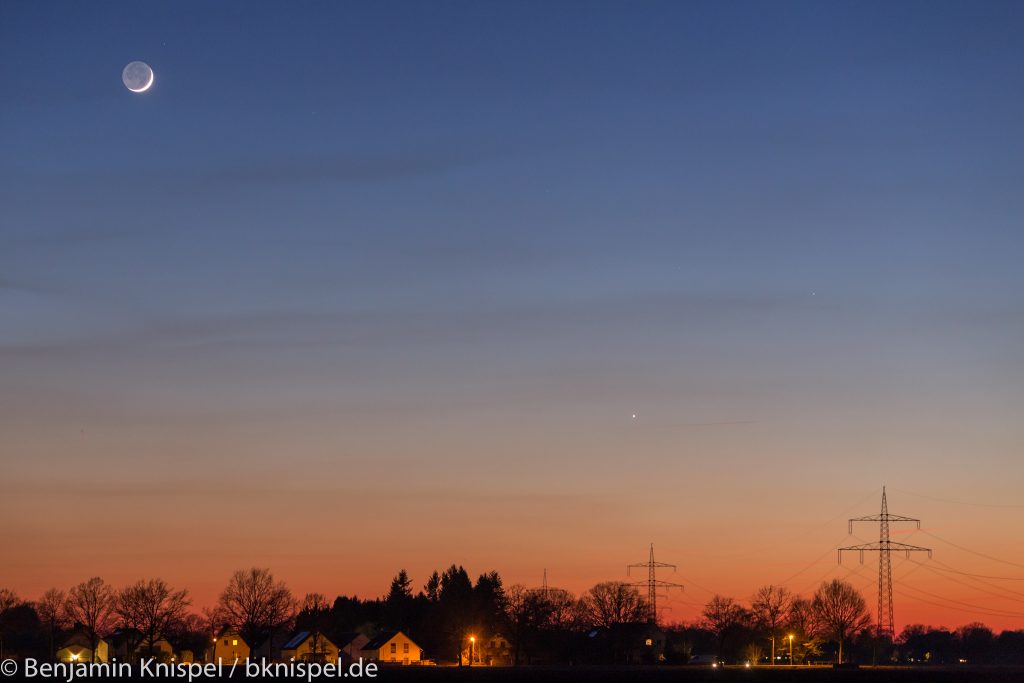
{"points": [[152, 609]]}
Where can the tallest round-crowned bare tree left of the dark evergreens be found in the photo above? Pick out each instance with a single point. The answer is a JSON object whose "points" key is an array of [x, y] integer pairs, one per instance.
{"points": [[253, 602]]}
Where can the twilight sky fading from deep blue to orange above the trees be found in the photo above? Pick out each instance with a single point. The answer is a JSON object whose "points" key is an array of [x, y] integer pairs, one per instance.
{"points": [[358, 287]]}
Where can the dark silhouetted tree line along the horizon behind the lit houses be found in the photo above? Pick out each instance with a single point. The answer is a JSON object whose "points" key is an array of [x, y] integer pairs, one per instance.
{"points": [[542, 626]]}
